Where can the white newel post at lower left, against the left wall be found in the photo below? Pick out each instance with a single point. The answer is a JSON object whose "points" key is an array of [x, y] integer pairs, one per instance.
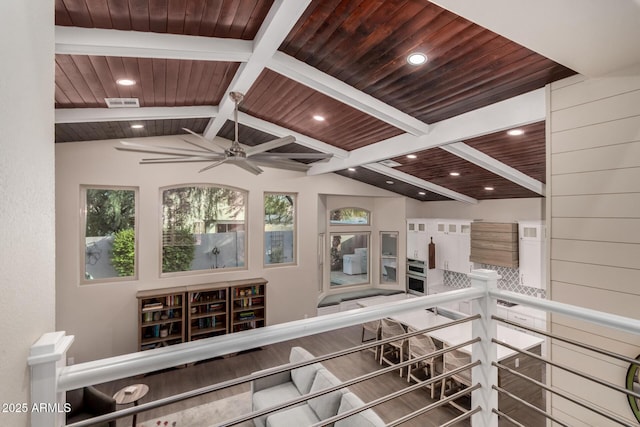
{"points": [[46, 357]]}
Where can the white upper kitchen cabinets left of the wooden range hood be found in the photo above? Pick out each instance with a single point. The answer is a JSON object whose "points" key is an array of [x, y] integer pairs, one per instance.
{"points": [[453, 245]]}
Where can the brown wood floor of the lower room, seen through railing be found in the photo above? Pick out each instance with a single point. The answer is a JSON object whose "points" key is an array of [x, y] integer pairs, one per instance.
{"points": [[173, 381]]}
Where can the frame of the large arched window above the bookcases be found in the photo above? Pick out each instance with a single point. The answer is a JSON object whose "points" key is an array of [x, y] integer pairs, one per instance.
{"points": [[245, 266]]}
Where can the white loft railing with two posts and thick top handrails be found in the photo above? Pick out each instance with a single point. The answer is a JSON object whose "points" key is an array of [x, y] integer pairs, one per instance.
{"points": [[50, 378]]}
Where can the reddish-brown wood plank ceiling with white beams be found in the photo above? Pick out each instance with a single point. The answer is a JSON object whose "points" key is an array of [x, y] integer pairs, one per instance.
{"points": [[343, 60]]}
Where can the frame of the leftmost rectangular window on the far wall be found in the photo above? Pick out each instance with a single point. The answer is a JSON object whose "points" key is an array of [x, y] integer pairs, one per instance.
{"points": [[83, 230]]}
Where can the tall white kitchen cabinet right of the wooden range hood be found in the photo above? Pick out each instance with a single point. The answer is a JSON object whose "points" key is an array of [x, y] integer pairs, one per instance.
{"points": [[531, 248]]}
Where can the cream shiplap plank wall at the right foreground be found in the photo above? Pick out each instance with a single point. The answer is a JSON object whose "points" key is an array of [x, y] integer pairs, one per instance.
{"points": [[594, 149]]}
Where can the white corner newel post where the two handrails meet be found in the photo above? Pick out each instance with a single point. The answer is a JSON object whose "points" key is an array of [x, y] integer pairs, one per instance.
{"points": [[485, 350]]}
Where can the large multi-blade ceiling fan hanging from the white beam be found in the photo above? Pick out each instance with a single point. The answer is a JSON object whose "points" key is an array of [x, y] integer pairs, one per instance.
{"points": [[249, 159]]}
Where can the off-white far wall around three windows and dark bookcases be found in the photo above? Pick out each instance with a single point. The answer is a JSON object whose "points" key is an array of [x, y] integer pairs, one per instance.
{"points": [[103, 316]]}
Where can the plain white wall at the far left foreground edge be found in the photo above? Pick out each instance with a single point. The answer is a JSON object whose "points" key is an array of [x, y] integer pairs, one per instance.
{"points": [[27, 267]]}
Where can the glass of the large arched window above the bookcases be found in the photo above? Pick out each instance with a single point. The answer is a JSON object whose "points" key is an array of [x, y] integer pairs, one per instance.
{"points": [[203, 228]]}
